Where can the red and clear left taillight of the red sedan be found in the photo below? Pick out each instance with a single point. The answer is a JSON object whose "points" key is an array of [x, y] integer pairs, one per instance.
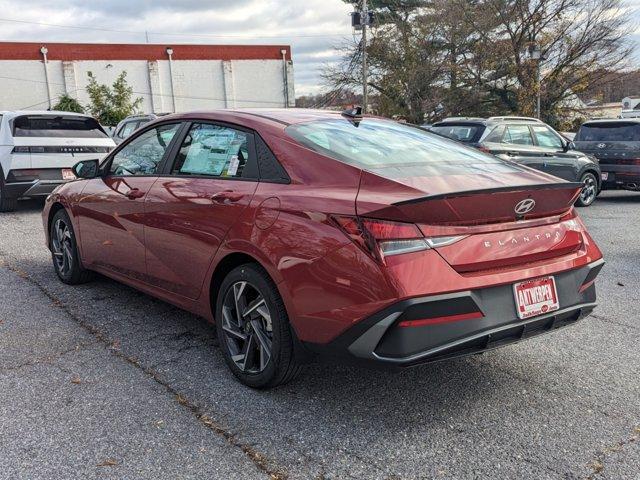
{"points": [[382, 238]]}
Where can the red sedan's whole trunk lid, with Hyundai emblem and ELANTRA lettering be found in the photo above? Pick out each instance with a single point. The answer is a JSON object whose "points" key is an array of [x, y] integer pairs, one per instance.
{"points": [[481, 211]]}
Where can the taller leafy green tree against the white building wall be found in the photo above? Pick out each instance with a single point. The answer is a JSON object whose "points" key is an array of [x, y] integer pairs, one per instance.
{"points": [[111, 104]]}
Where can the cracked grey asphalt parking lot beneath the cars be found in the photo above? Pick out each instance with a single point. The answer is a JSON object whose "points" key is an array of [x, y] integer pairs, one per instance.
{"points": [[101, 381]]}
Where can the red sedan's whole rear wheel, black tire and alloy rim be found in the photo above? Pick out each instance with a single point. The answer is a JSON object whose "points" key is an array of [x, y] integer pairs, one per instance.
{"points": [[266, 321]]}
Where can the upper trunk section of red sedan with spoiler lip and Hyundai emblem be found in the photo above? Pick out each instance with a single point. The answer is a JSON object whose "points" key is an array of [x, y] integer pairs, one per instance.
{"points": [[465, 200]]}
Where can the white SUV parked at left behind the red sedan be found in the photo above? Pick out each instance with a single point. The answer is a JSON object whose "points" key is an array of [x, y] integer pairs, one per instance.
{"points": [[38, 149]]}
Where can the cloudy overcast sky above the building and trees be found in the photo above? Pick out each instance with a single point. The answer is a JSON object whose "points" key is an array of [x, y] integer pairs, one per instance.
{"points": [[311, 27]]}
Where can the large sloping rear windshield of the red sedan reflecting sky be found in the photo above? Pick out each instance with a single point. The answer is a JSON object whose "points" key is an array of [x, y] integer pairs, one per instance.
{"points": [[402, 150]]}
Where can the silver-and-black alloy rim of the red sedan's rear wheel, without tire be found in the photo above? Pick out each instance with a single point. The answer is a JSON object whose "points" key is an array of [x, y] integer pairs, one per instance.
{"points": [[247, 327]]}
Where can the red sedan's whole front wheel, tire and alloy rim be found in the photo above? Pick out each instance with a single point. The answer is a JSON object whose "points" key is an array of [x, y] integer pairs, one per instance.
{"points": [[64, 251]]}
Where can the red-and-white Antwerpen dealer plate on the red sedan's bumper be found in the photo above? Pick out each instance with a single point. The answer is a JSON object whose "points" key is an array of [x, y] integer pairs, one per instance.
{"points": [[536, 297]]}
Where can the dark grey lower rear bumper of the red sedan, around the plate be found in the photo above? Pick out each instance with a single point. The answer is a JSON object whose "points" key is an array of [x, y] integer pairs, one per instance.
{"points": [[381, 340]]}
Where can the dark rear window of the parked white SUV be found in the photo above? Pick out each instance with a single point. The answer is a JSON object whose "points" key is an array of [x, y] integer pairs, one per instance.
{"points": [[65, 126]]}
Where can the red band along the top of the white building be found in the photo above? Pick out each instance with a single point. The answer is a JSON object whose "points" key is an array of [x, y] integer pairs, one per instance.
{"points": [[111, 51]]}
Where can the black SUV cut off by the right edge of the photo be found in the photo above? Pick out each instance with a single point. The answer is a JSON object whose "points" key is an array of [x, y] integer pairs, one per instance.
{"points": [[616, 143]]}
